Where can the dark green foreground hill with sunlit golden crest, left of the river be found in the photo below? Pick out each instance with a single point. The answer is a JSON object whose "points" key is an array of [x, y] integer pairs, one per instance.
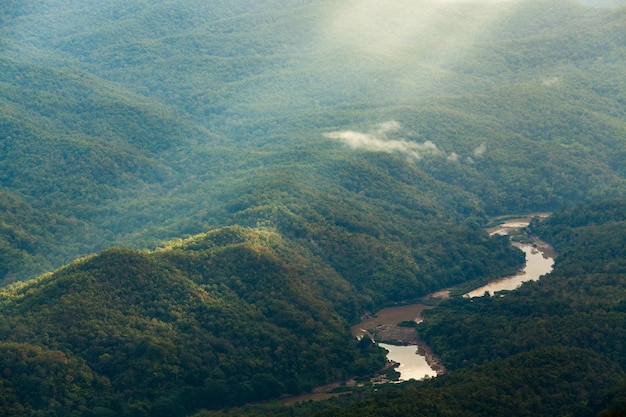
{"points": [[217, 320]]}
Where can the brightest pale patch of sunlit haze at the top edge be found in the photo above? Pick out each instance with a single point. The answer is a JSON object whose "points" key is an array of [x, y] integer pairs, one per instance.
{"points": [[435, 30]]}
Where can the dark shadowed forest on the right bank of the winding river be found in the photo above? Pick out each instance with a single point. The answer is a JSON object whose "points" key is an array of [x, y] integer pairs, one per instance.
{"points": [[553, 347]]}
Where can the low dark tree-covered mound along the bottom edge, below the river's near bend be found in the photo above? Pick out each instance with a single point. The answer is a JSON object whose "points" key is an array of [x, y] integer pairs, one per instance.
{"points": [[548, 382]]}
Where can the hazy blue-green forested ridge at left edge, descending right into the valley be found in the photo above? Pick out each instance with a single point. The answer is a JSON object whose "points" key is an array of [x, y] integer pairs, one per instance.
{"points": [[68, 135]]}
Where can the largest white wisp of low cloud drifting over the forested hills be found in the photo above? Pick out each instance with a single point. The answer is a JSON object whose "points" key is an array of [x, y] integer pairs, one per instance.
{"points": [[378, 141]]}
